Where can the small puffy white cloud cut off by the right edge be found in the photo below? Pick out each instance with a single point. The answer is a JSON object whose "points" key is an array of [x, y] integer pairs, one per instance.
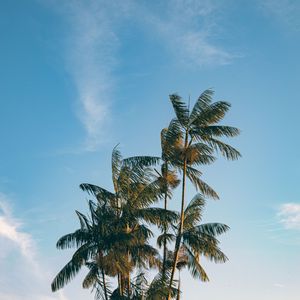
{"points": [[289, 215]]}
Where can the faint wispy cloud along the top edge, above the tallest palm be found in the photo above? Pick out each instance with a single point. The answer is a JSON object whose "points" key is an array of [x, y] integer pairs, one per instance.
{"points": [[188, 28]]}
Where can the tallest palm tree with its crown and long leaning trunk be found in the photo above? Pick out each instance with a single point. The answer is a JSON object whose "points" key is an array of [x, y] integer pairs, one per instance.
{"points": [[199, 131]]}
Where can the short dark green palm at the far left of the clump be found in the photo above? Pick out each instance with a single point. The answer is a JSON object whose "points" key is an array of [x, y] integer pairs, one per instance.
{"points": [[92, 243]]}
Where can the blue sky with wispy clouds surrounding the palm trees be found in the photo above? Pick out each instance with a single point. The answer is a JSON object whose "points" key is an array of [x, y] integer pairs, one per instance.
{"points": [[78, 77]]}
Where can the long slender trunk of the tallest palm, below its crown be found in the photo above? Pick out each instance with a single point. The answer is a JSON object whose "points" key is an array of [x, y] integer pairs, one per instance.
{"points": [[180, 229]]}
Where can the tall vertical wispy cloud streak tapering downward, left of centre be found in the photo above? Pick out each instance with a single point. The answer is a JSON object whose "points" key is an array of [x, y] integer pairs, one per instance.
{"points": [[91, 45]]}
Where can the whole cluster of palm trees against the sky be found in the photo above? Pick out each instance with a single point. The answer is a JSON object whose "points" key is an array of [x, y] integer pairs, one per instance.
{"points": [[115, 240]]}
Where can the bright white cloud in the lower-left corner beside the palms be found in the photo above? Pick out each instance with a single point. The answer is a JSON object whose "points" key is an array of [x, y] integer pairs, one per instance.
{"points": [[30, 274]]}
